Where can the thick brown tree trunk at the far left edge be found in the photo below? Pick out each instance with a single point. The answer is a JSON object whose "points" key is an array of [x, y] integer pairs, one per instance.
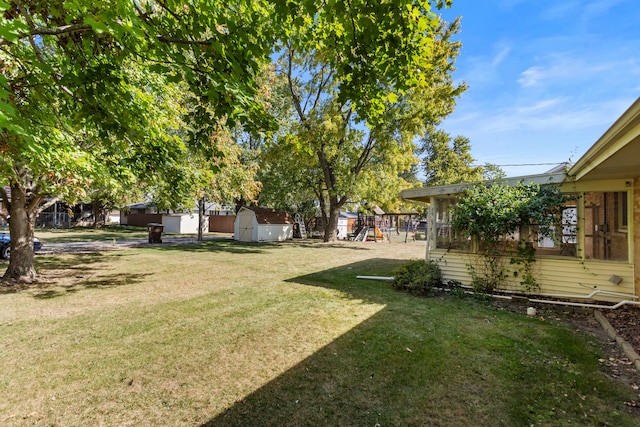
{"points": [[22, 218]]}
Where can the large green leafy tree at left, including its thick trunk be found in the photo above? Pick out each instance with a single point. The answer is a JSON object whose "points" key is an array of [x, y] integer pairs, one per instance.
{"points": [[78, 86]]}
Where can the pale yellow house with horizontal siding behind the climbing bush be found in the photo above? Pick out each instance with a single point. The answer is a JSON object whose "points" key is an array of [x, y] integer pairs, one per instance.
{"points": [[598, 253]]}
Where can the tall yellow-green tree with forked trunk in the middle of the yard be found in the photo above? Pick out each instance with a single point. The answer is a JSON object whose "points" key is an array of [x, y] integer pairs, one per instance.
{"points": [[354, 134]]}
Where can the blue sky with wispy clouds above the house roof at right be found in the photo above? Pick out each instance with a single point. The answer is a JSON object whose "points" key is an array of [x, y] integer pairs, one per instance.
{"points": [[546, 78]]}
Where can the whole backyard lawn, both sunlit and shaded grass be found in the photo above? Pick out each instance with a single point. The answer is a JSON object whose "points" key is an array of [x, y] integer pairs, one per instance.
{"points": [[223, 333]]}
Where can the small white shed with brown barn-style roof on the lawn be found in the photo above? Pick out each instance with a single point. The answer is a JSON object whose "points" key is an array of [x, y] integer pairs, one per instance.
{"points": [[262, 225]]}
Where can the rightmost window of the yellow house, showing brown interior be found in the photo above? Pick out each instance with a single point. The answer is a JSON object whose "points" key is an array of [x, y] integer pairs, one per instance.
{"points": [[606, 224]]}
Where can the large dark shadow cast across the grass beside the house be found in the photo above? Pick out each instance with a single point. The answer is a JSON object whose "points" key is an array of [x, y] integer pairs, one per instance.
{"points": [[423, 361]]}
